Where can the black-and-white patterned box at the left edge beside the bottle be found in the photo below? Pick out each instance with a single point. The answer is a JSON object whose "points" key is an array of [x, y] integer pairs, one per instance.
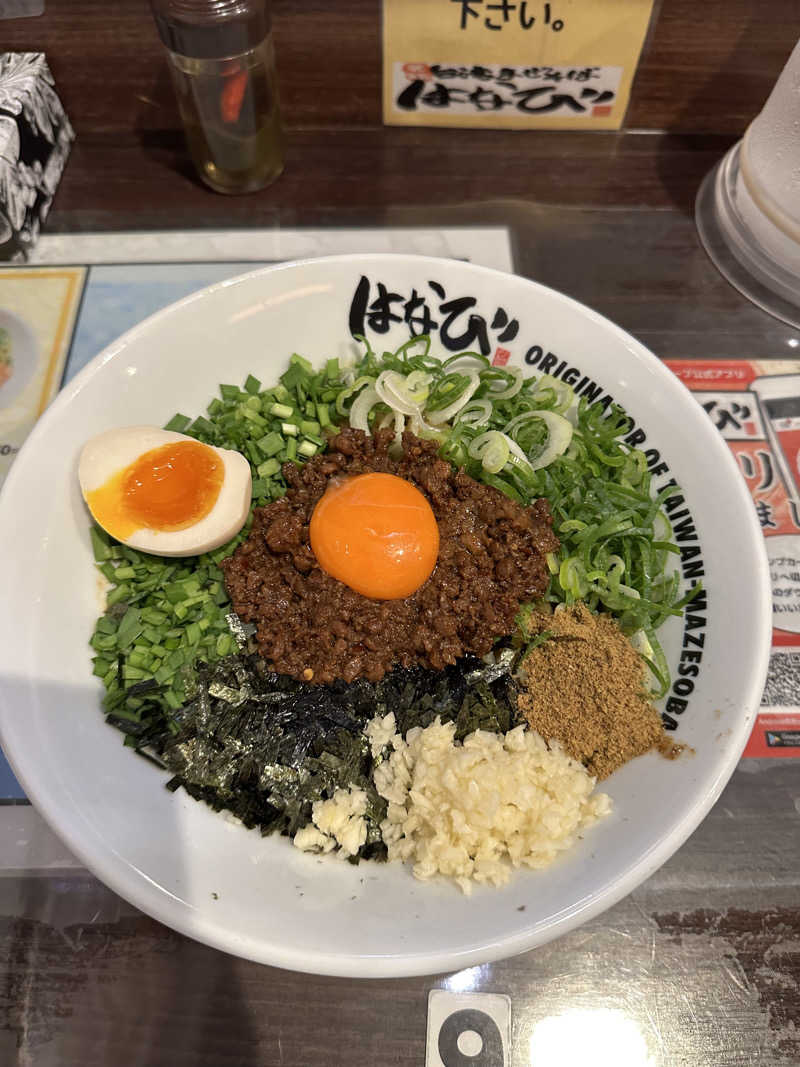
{"points": [[36, 138]]}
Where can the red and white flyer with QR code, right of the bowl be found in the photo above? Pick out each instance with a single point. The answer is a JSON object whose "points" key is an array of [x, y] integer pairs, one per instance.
{"points": [[756, 406]]}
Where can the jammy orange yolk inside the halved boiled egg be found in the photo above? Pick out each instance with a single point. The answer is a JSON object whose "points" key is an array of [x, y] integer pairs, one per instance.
{"points": [[166, 489]]}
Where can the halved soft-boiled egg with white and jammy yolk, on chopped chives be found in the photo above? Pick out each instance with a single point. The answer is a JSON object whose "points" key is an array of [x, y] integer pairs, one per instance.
{"points": [[164, 492]]}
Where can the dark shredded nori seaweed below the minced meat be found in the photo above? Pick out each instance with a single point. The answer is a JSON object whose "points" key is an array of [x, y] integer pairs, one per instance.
{"points": [[266, 747]]}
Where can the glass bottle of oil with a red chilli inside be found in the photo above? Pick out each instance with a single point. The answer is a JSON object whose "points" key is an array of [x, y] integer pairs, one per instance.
{"points": [[223, 69]]}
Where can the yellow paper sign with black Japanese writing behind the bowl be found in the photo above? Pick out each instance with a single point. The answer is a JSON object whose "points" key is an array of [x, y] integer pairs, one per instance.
{"points": [[562, 65]]}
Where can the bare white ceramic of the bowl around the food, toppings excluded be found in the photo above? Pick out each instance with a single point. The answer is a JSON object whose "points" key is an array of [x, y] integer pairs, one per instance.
{"points": [[204, 874]]}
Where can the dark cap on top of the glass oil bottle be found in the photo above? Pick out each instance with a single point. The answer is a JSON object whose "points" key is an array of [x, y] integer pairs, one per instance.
{"points": [[211, 29]]}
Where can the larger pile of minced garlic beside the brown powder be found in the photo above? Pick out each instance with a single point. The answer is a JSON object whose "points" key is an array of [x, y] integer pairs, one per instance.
{"points": [[476, 811]]}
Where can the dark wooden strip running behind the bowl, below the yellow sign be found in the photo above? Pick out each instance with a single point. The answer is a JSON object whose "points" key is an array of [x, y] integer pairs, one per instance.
{"points": [[348, 178]]}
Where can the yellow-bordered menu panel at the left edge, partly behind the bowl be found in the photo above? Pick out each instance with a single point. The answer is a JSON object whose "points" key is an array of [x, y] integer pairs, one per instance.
{"points": [[38, 310]]}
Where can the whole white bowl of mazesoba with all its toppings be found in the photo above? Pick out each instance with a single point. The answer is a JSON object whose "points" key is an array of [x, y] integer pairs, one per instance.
{"points": [[377, 615]]}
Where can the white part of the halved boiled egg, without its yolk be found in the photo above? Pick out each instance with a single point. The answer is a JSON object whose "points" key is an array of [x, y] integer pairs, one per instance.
{"points": [[111, 452]]}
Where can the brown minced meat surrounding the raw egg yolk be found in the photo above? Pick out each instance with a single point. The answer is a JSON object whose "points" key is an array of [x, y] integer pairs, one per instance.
{"points": [[314, 628]]}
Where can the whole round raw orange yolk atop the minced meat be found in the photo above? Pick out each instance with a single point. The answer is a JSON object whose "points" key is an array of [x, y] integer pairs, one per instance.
{"points": [[377, 534]]}
